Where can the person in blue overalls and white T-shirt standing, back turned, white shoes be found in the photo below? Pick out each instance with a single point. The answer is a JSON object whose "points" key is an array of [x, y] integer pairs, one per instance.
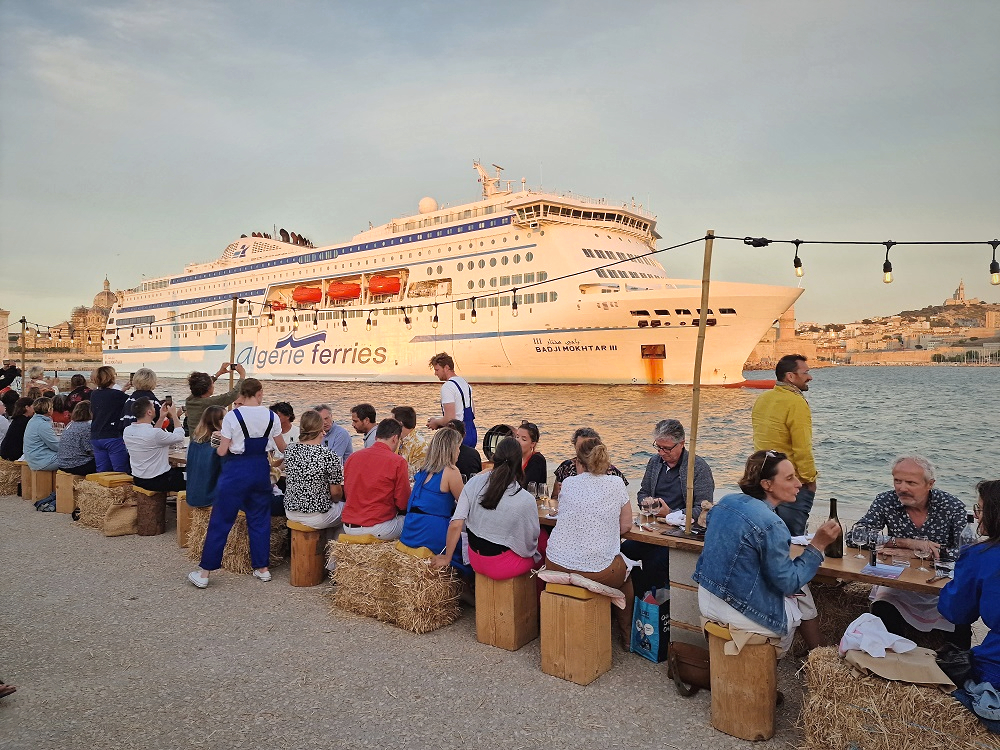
{"points": [[245, 484]]}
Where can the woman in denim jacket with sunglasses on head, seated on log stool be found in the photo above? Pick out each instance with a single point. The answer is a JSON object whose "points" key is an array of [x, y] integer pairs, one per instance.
{"points": [[746, 576]]}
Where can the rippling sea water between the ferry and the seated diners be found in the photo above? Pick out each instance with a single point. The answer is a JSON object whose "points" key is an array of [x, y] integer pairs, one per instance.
{"points": [[863, 417]]}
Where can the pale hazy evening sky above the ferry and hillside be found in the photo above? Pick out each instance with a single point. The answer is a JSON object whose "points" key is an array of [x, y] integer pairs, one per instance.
{"points": [[137, 137]]}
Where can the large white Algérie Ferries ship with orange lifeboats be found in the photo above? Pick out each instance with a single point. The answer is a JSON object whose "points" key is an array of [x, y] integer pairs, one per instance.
{"points": [[520, 286]]}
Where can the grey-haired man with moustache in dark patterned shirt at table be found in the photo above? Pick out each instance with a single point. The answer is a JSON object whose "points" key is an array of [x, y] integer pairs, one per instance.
{"points": [[912, 509]]}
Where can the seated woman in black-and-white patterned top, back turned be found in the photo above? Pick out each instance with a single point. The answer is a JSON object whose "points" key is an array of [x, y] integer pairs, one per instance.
{"points": [[314, 478]]}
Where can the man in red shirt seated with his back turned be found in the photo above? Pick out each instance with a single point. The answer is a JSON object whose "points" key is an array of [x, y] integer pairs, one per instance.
{"points": [[377, 486]]}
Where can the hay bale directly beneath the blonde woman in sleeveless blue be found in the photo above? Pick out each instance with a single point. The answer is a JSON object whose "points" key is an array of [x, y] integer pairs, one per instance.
{"points": [[426, 598]]}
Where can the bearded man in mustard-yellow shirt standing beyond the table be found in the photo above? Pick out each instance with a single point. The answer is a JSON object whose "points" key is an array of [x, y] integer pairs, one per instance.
{"points": [[782, 422]]}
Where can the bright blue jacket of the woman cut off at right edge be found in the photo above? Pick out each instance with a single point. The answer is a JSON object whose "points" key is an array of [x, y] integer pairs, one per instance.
{"points": [[975, 593]]}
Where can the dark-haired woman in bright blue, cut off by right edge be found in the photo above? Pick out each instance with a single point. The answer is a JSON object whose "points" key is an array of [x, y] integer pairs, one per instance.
{"points": [[975, 590]]}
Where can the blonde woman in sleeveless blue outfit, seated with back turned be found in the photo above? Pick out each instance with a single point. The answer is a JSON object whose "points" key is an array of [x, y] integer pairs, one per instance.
{"points": [[436, 488]]}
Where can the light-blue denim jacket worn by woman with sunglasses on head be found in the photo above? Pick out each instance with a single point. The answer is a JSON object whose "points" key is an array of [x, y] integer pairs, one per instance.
{"points": [[746, 560]]}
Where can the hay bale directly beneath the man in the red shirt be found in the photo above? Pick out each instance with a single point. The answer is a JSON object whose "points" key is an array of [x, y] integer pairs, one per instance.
{"points": [[365, 577]]}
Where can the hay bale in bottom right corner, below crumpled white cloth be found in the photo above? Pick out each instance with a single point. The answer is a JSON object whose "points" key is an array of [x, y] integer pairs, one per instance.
{"points": [[843, 709]]}
